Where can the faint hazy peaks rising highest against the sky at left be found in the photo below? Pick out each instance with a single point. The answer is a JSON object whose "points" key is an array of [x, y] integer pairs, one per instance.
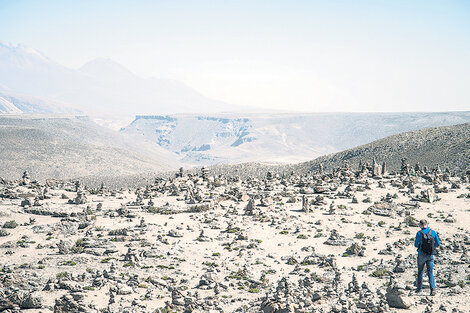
{"points": [[100, 86]]}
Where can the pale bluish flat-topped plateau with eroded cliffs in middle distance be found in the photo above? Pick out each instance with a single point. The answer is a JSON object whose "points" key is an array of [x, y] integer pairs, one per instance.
{"points": [[286, 138]]}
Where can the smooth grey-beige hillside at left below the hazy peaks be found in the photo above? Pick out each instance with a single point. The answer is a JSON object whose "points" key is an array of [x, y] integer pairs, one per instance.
{"points": [[67, 147]]}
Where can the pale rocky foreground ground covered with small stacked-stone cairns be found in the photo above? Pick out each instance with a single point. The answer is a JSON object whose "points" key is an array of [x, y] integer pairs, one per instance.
{"points": [[322, 241]]}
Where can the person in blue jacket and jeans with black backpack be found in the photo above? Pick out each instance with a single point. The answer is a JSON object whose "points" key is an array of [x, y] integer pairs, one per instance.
{"points": [[426, 242]]}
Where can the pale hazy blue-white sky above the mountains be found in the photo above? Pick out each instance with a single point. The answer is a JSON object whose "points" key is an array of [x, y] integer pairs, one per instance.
{"points": [[298, 55]]}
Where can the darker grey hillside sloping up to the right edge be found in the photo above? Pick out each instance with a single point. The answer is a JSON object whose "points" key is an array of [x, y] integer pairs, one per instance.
{"points": [[448, 146]]}
